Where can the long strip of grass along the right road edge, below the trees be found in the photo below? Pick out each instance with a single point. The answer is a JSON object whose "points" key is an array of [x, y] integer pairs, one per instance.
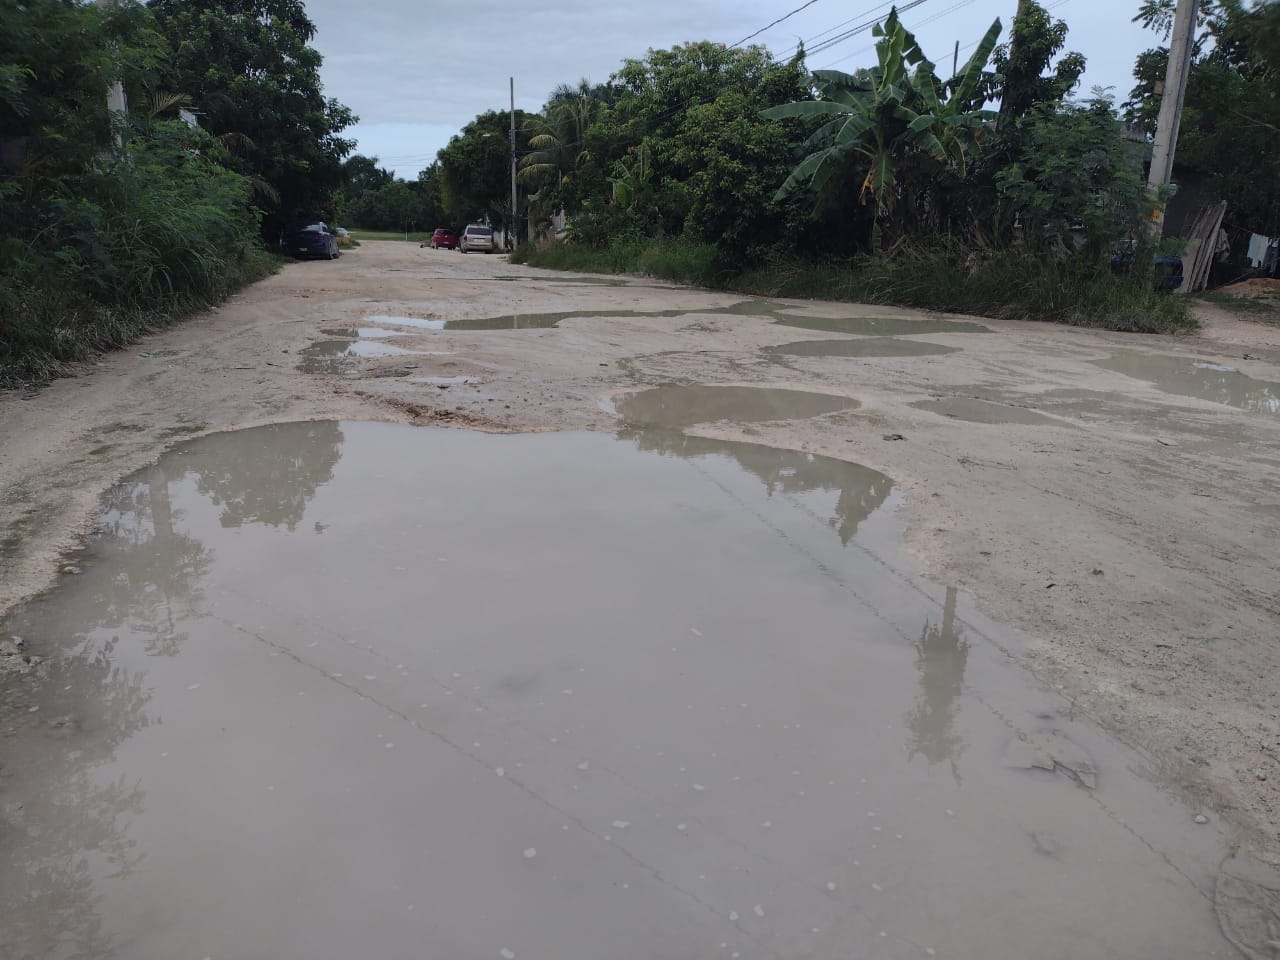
{"points": [[1004, 285]]}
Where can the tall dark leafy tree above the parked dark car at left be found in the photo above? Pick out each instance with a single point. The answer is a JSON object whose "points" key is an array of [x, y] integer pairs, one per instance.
{"points": [[254, 80]]}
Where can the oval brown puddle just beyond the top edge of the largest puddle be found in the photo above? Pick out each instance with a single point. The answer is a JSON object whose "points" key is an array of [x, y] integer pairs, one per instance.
{"points": [[684, 406]]}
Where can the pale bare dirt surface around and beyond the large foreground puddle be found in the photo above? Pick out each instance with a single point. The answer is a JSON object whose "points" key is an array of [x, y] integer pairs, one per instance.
{"points": [[1124, 516]]}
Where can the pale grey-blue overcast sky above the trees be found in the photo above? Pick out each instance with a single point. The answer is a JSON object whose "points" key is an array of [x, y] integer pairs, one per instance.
{"points": [[418, 71]]}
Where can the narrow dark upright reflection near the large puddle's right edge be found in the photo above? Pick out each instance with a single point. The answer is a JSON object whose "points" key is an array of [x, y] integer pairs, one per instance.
{"points": [[940, 656]]}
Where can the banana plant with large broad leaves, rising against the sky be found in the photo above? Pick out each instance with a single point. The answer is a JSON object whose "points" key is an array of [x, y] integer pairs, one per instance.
{"points": [[894, 116]]}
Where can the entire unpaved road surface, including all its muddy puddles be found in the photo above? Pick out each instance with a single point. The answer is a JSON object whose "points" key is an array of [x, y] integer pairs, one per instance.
{"points": [[417, 605]]}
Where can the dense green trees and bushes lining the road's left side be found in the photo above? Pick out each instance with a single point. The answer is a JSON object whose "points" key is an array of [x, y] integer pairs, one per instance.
{"points": [[113, 225]]}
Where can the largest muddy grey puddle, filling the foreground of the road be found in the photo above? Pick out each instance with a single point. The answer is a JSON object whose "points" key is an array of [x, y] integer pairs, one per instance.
{"points": [[339, 691]]}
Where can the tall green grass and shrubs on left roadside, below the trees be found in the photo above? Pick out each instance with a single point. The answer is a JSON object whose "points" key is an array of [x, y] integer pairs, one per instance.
{"points": [[135, 243]]}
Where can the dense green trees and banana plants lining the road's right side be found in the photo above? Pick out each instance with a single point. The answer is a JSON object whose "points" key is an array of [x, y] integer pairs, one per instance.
{"points": [[993, 186]]}
